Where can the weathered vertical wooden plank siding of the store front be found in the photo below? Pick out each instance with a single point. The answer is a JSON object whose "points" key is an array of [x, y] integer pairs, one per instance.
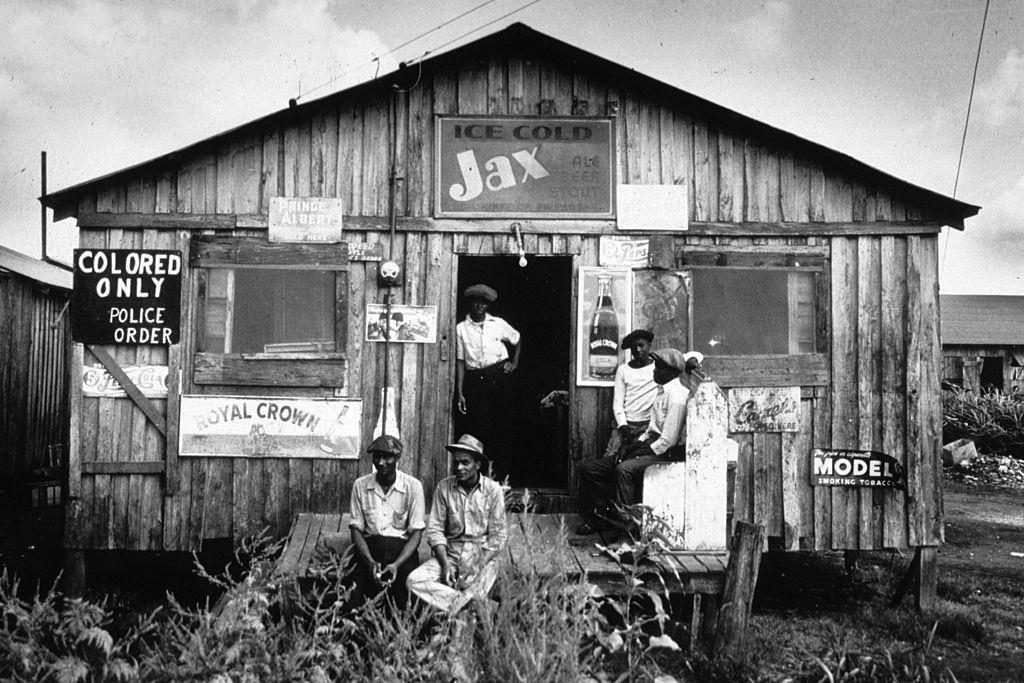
{"points": [[875, 386]]}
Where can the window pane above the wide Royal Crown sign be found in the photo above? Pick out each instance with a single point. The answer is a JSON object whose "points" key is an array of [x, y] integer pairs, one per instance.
{"points": [[268, 311]]}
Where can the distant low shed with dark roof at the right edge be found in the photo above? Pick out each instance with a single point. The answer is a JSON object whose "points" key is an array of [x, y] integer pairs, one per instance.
{"points": [[984, 341]]}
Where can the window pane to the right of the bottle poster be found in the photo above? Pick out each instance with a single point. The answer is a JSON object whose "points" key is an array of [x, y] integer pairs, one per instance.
{"points": [[747, 312]]}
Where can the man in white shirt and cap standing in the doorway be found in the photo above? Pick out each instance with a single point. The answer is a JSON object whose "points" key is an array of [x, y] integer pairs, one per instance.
{"points": [[487, 355]]}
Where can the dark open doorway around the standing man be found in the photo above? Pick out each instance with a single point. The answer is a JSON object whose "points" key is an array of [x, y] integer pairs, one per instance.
{"points": [[537, 302]]}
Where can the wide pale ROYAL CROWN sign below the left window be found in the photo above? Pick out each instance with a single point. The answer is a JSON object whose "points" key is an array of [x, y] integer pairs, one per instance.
{"points": [[270, 428]]}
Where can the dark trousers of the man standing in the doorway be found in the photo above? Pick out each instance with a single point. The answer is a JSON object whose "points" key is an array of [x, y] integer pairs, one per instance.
{"points": [[489, 401]]}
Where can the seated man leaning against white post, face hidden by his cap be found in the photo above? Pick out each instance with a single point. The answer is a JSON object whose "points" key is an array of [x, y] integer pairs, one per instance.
{"points": [[604, 482]]}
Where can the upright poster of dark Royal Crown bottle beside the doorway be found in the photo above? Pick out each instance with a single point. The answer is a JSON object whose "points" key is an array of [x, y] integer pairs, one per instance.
{"points": [[605, 316]]}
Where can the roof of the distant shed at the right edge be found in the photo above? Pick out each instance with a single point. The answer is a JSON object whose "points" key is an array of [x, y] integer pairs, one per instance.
{"points": [[983, 320]]}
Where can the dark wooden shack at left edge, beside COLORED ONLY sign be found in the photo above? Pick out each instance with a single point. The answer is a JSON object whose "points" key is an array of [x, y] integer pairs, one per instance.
{"points": [[34, 352]]}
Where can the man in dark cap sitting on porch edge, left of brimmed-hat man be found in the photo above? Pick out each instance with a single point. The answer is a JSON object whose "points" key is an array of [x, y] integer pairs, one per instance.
{"points": [[388, 509]]}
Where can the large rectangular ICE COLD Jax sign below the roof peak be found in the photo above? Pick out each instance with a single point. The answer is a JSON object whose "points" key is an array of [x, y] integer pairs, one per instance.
{"points": [[525, 167]]}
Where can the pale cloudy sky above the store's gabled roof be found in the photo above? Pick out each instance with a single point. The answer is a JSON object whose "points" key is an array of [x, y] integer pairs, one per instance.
{"points": [[104, 84]]}
